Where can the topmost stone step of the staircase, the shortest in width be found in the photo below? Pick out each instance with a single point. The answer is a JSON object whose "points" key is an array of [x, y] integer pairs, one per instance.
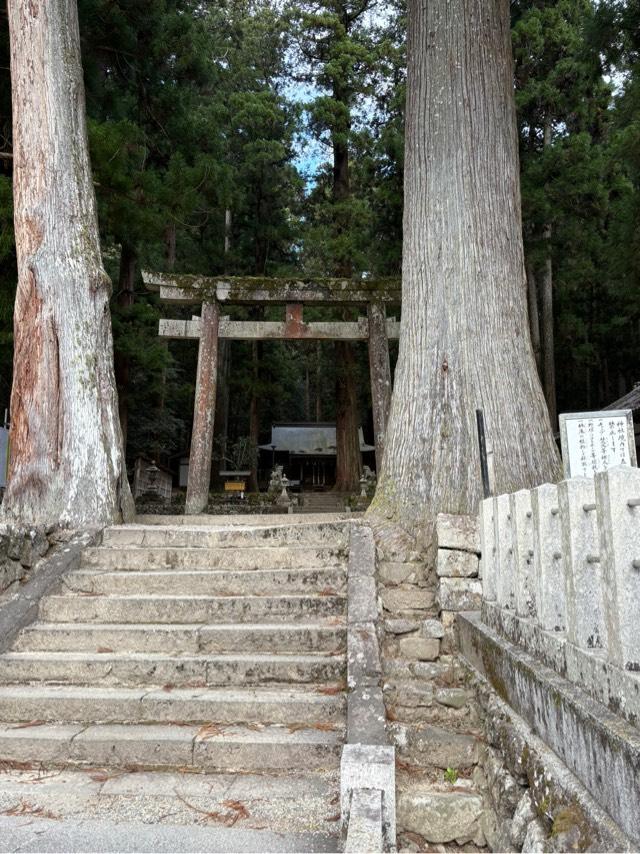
{"points": [[332, 535]]}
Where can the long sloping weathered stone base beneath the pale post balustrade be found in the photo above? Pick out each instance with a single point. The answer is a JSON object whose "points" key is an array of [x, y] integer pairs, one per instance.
{"points": [[602, 750]]}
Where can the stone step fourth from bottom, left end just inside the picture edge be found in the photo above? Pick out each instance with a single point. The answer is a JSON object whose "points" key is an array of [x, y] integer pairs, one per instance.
{"points": [[179, 639]]}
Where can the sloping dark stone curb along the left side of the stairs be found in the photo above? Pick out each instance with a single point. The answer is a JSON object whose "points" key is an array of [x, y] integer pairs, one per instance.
{"points": [[22, 609]]}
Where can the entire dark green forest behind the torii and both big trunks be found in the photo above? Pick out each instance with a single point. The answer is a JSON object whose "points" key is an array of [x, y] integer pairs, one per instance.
{"points": [[211, 127]]}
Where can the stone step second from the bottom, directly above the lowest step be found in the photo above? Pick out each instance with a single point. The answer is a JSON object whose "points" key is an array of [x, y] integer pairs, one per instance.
{"points": [[89, 704]]}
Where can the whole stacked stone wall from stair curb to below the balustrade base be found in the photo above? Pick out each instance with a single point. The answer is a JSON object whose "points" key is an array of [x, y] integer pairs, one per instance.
{"points": [[471, 774]]}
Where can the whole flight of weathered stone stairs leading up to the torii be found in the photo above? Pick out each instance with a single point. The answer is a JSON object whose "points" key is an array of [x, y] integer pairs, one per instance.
{"points": [[213, 648]]}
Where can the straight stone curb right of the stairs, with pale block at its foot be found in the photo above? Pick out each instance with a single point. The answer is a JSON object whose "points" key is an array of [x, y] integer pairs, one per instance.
{"points": [[367, 768]]}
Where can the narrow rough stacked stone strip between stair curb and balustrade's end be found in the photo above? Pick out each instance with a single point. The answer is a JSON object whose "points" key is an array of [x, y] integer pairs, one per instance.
{"points": [[432, 714]]}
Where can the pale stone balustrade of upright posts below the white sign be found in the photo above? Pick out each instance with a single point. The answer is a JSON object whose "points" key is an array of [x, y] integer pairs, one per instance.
{"points": [[560, 569]]}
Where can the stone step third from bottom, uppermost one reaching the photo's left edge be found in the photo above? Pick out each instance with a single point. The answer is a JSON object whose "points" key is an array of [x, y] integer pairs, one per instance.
{"points": [[149, 669]]}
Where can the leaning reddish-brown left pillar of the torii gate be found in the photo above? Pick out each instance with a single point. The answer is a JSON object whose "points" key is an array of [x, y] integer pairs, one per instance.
{"points": [[203, 411]]}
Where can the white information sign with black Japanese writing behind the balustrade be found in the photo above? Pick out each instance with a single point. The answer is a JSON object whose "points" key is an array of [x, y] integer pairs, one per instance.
{"points": [[596, 441]]}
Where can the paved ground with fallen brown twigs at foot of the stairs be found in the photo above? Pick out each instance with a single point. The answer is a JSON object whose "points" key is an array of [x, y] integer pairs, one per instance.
{"points": [[70, 811]]}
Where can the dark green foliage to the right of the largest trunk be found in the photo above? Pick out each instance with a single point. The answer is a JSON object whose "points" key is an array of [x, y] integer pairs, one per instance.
{"points": [[575, 180]]}
